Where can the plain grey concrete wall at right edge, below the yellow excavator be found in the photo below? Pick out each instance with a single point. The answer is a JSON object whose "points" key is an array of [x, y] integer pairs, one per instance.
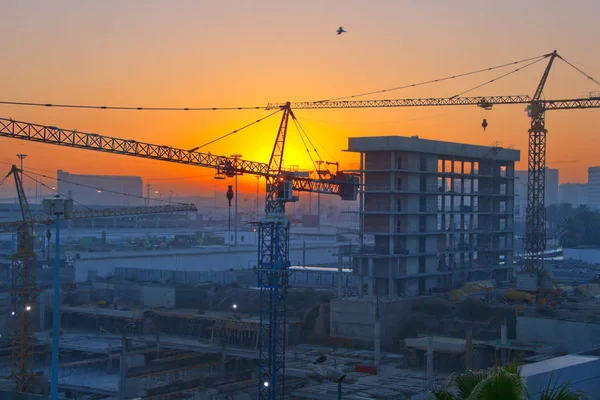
{"points": [[571, 336]]}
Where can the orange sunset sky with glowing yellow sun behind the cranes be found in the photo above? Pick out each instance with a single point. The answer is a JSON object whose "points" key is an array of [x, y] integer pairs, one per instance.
{"points": [[248, 53]]}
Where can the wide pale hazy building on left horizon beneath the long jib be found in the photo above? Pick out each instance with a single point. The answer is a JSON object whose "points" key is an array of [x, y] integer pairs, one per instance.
{"points": [[116, 191]]}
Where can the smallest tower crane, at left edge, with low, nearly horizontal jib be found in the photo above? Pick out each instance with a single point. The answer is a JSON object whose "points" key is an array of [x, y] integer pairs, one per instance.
{"points": [[23, 273]]}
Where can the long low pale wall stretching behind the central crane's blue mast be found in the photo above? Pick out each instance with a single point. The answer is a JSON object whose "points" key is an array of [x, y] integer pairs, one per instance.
{"points": [[193, 260]]}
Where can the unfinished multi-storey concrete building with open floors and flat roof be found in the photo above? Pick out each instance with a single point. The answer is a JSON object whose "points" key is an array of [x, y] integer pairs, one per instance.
{"points": [[440, 213]]}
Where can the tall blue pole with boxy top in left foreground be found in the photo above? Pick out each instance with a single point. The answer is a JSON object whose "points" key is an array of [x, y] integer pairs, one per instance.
{"points": [[56, 207]]}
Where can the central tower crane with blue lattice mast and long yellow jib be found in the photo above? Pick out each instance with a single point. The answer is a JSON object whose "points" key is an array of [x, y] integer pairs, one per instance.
{"points": [[273, 243]]}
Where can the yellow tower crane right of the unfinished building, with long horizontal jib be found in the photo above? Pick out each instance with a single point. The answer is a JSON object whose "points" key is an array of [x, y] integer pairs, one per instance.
{"points": [[535, 239]]}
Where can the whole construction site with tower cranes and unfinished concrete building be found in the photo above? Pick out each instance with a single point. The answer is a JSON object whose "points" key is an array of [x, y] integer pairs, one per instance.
{"points": [[146, 302]]}
